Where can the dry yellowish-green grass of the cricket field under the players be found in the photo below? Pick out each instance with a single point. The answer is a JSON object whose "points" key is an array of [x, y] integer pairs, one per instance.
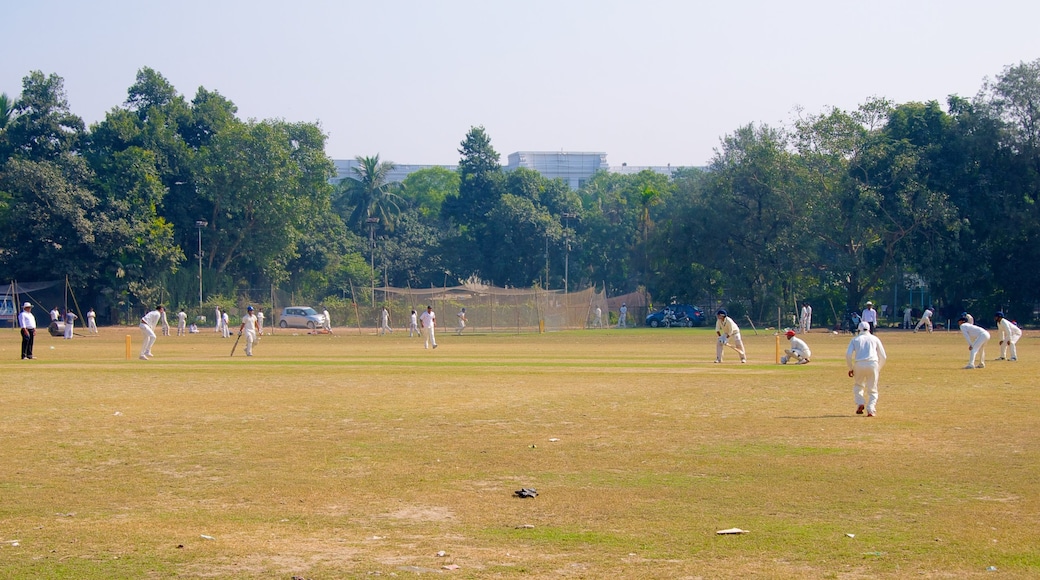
{"points": [[356, 456]]}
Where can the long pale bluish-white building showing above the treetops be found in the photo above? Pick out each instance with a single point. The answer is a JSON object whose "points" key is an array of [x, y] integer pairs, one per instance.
{"points": [[575, 168]]}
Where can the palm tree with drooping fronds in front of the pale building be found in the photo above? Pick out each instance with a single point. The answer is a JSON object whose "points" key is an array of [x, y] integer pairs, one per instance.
{"points": [[368, 194]]}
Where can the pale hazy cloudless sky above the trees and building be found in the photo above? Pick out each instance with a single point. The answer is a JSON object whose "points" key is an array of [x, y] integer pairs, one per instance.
{"points": [[649, 83]]}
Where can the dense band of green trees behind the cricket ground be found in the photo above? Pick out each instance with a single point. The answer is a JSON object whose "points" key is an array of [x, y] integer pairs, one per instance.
{"points": [[835, 208]]}
